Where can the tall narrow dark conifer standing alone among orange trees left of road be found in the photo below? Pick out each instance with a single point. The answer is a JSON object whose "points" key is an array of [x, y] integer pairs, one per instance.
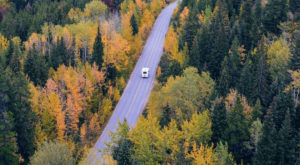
{"points": [[98, 53]]}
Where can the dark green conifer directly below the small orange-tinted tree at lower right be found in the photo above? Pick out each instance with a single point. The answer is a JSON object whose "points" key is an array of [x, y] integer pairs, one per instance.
{"points": [[237, 132]]}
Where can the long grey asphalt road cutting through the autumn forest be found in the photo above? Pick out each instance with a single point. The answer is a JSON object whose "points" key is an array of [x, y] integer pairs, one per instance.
{"points": [[138, 89]]}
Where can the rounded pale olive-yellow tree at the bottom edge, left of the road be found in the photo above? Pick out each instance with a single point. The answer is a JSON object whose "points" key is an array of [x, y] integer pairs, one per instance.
{"points": [[53, 153]]}
